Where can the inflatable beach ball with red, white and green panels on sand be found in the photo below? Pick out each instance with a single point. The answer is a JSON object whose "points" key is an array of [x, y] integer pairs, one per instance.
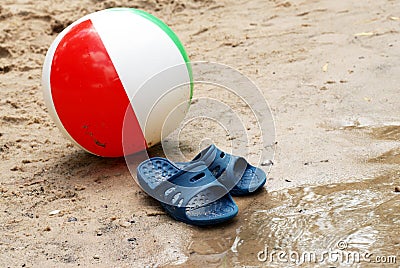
{"points": [[113, 77]]}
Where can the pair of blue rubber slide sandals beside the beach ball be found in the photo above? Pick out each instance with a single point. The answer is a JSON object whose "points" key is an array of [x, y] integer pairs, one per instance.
{"points": [[199, 192]]}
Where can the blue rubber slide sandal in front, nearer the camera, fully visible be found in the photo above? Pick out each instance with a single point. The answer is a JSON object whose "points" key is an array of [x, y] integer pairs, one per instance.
{"points": [[190, 194]]}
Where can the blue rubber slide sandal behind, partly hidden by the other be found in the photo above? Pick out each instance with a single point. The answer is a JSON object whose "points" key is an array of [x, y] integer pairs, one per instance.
{"points": [[221, 165]]}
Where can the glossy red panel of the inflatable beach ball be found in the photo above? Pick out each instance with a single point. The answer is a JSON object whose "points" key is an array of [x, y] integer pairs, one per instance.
{"points": [[88, 95]]}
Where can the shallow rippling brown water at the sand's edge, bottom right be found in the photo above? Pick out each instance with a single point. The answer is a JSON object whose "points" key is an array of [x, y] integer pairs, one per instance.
{"points": [[335, 225]]}
